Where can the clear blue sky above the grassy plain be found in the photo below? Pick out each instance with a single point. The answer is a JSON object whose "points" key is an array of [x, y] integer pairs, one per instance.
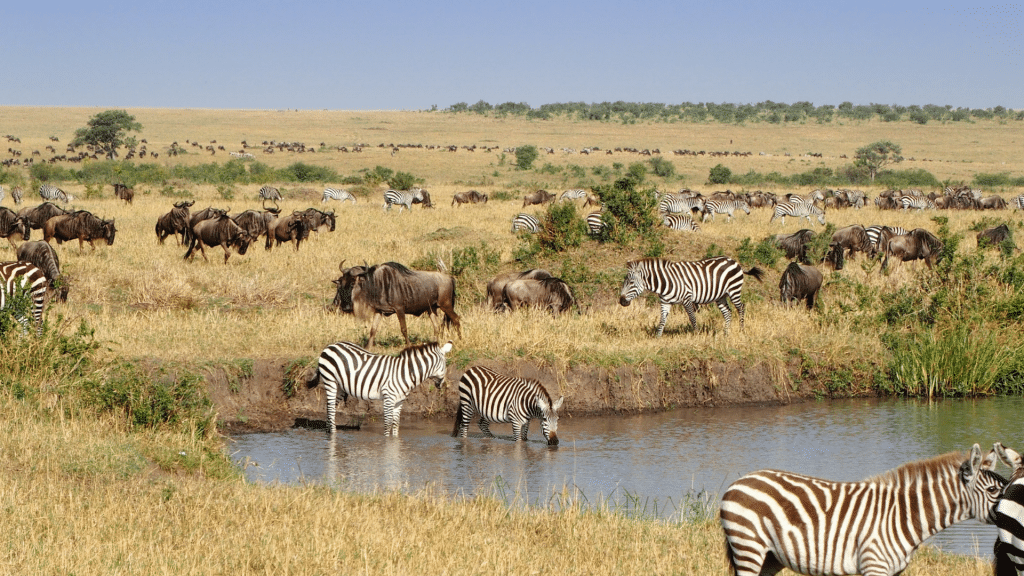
{"points": [[403, 55]]}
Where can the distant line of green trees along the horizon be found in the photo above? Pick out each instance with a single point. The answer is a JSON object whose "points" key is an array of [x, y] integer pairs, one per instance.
{"points": [[769, 111]]}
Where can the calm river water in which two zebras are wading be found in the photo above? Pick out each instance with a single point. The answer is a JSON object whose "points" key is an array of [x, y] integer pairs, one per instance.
{"points": [[649, 465]]}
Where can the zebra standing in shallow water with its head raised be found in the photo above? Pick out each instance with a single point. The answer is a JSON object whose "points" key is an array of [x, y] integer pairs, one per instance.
{"points": [[350, 371]]}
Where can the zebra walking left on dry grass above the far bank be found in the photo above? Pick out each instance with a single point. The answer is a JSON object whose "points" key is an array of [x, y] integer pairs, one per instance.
{"points": [[713, 280]]}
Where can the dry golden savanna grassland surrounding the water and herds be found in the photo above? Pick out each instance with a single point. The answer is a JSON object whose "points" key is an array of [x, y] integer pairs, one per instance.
{"points": [[99, 483]]}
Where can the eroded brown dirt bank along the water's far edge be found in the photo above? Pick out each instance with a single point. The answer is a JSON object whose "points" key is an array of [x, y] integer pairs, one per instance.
{"points": [[259, 402]]}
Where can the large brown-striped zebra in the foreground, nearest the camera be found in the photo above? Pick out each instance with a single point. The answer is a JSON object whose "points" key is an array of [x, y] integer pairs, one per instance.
{"points": [[775, 520]]}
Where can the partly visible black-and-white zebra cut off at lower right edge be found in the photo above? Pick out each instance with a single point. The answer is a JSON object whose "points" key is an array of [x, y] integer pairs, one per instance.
{"points": [[1009, 518]]}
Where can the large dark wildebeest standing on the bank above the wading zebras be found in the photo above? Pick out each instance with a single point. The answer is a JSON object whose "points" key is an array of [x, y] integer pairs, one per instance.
{"points": [[392, 289]]}
